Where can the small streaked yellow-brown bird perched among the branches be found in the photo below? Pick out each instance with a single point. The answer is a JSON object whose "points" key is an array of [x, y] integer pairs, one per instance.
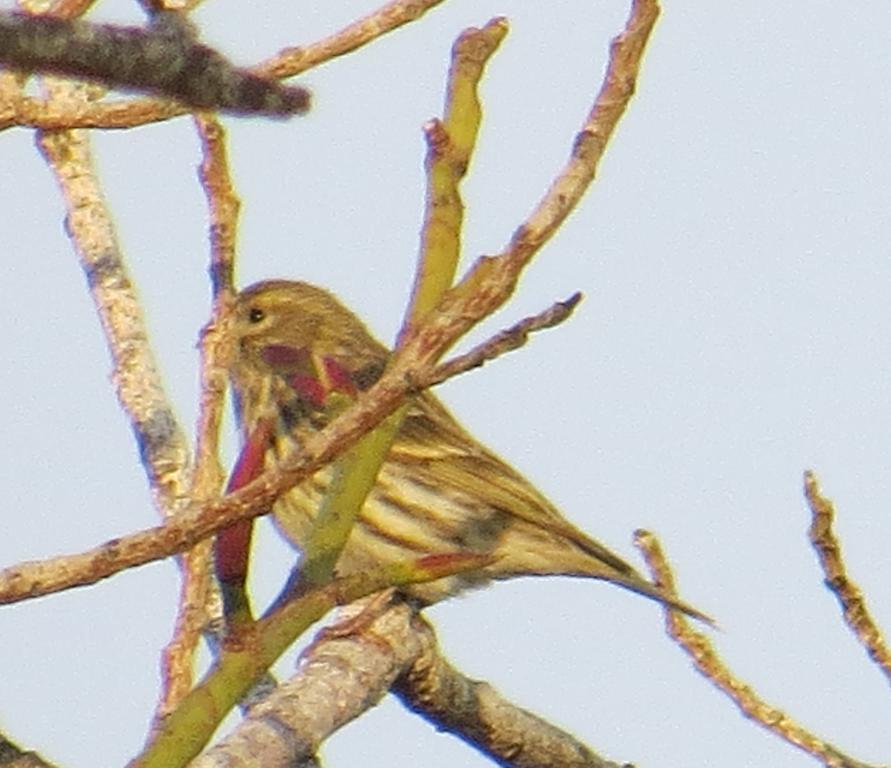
{"points": [[439, 491]]}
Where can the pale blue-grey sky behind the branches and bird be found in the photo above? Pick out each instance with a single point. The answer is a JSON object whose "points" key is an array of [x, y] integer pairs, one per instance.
{"points": [[735, 260]]}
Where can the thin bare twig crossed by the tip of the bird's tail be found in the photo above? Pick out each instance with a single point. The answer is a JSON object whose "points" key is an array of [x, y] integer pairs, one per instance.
{"points": [[708, 663]]}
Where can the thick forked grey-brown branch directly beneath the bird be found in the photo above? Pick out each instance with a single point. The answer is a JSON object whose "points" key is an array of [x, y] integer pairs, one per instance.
{"points": [[345, 673]]}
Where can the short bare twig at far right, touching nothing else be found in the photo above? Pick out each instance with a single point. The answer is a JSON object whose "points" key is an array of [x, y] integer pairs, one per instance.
{"points": [[850, 598]]}
